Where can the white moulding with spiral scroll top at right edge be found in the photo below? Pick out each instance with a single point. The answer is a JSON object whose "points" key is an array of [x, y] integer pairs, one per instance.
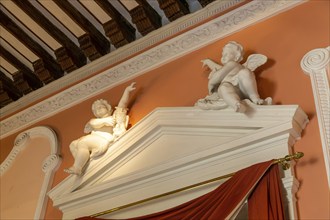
{"points": [[316, 64]]}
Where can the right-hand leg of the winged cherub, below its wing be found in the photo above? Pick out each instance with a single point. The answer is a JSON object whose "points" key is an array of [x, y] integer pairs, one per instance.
{"points": [[248, 86]]}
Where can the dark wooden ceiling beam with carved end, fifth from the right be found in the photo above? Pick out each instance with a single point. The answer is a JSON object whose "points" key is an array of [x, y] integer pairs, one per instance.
{"points": [[92, 38]]}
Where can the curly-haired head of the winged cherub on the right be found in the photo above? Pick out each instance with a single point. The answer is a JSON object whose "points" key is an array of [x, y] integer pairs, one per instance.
{"points": [[232, 51]]}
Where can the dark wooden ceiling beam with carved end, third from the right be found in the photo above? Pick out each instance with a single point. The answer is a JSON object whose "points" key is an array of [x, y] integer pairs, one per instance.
{"points": [[145, 17]]}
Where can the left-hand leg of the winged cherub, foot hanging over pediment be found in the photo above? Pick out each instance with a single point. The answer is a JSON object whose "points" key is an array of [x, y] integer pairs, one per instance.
{"points": [[231, 96]]}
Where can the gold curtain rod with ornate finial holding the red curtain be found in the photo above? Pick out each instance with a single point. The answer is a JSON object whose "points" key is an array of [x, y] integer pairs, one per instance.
{"points": [[284, 162]]}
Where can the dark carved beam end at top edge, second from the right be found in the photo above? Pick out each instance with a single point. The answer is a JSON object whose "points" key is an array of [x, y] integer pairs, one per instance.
{"points": [[174, 9]]}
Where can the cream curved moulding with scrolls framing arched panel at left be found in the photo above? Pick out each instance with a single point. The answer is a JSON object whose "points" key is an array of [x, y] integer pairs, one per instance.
{"points": [[49, 166]]}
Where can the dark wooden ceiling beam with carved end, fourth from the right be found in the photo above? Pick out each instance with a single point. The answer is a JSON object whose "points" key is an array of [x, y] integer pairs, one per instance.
{"points": [[119, 30]]}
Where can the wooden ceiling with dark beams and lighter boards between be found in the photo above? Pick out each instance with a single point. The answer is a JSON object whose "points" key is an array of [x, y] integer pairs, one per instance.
{"points": [[42, 40]]}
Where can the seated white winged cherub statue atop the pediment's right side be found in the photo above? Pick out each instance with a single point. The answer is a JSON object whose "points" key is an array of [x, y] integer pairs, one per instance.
{"points": [[229, 84]]}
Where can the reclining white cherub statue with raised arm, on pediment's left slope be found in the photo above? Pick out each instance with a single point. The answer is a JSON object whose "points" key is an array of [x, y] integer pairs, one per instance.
{"points": [[102, 131]]}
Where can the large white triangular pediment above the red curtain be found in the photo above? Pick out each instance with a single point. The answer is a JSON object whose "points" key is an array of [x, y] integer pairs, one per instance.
{"points": [[175, 147]]}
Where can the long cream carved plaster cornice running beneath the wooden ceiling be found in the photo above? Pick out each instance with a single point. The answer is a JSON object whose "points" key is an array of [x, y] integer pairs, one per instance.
{"points": [[185, 43]]}
